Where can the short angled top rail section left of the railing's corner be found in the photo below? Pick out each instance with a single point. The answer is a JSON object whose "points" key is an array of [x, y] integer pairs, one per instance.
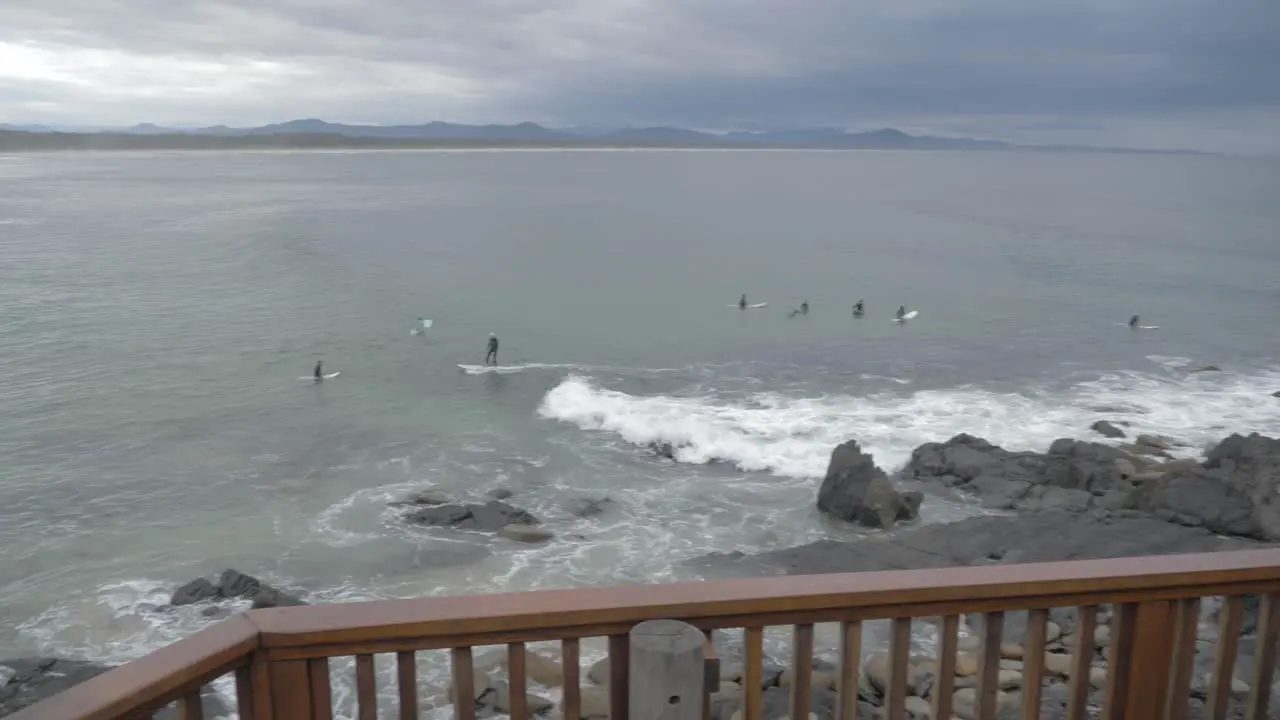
{"points": [[156, 680]]}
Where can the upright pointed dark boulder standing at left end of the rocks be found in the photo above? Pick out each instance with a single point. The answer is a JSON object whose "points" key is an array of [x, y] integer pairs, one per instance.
{"points": [[857, 491]]}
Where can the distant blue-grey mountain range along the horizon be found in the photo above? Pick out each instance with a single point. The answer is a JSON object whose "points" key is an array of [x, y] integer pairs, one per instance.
{"points": [[321, 134]]}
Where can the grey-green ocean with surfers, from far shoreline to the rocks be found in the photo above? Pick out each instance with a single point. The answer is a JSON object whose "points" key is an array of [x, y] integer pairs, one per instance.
{"points": [[162, 312]]}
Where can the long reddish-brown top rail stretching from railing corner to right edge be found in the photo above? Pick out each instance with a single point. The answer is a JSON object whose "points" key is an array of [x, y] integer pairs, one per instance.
{"points": [[1013, 587]]}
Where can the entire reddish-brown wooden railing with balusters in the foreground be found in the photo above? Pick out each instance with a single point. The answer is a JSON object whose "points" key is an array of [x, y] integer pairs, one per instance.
{"points": [[281, 658]]}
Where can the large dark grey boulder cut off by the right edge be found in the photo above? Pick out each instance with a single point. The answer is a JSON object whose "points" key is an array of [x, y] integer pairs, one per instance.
{"points": [[1233, 493]]}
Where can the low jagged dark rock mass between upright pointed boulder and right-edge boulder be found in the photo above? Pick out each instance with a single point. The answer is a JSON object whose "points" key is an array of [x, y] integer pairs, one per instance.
{"points": [[1068, 477]]}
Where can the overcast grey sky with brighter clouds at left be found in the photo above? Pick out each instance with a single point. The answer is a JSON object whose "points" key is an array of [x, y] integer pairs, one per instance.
{"points": [[1185, 74]]}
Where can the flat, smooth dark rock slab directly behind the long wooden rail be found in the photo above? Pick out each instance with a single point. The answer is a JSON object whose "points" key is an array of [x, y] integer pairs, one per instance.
{"points": [[1041, 537]]}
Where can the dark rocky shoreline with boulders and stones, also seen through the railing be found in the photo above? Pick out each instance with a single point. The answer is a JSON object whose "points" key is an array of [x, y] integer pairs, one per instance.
{"points": [[1078, 500]]}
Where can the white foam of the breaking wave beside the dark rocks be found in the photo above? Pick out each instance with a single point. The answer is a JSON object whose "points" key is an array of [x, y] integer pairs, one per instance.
{"points": [[794, 436]]}
